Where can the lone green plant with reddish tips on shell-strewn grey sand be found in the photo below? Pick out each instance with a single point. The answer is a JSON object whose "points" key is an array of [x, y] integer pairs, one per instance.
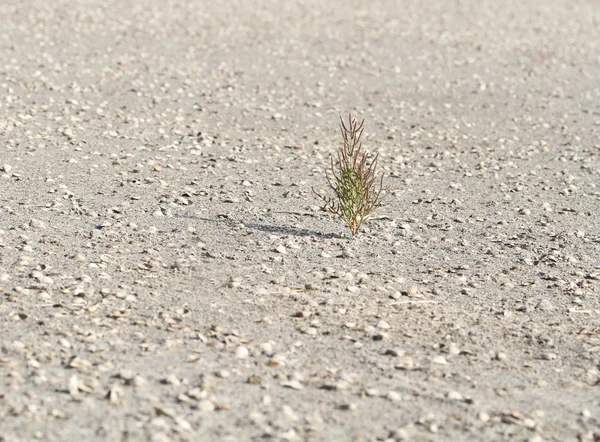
{"points": [[355, 185]]}
